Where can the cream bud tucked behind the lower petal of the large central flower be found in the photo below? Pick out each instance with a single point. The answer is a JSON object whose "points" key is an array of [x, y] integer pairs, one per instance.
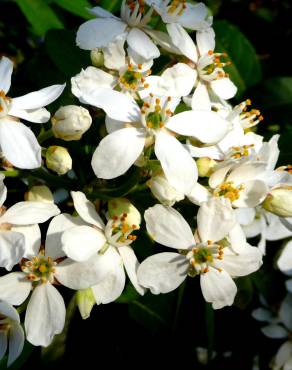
{"points": [[163, 191]]}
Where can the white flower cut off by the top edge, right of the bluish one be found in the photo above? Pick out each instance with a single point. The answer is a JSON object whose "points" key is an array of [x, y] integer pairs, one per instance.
{"points": [[192, 16]]}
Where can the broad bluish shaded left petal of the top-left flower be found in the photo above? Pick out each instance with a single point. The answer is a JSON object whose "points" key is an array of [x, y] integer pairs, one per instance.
{"points": [[100, 32]]}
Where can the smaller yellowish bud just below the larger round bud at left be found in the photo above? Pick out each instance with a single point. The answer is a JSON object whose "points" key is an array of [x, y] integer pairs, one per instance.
{"points": [[58, 159]]}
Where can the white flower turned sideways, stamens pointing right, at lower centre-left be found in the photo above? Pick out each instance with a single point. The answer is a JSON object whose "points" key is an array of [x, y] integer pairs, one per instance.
{"points": [[100, 249]]}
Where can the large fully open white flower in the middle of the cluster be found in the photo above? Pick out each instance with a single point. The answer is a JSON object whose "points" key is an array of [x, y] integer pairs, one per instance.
{"points": [[113, 157]]}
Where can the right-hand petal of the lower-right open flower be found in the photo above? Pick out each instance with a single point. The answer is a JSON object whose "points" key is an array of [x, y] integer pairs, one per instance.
{"points": [[244, 263]]}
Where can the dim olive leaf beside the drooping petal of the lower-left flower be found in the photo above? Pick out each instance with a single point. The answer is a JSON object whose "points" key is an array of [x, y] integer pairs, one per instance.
{"points": [[57, 348]]}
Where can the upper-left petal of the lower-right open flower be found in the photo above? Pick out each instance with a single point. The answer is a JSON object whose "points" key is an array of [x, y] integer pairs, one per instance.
{"points": [[168, 227]]}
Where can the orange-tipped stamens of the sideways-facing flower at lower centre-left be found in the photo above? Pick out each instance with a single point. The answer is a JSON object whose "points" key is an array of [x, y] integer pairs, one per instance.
{"points": [[118, 231]]}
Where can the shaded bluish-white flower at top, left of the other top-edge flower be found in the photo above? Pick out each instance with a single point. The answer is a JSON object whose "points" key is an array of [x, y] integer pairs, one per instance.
{"points": [[100, 32]]}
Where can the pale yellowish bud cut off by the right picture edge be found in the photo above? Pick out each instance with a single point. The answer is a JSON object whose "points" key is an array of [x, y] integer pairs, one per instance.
{"points": [[279, 201]]}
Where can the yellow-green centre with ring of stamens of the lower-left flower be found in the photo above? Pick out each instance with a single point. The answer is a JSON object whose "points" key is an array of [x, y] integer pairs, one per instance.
{"points": [[39, 269]]}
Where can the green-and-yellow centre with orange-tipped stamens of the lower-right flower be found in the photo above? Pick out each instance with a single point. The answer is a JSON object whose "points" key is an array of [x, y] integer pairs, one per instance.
{"points": [[202, 256]]}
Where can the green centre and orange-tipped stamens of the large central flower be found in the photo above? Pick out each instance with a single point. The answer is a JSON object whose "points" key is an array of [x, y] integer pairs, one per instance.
{"points": [[155, 114]]}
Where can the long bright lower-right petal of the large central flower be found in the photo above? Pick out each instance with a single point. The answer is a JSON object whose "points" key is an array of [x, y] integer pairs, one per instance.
{"points": [[177, 164]]}
